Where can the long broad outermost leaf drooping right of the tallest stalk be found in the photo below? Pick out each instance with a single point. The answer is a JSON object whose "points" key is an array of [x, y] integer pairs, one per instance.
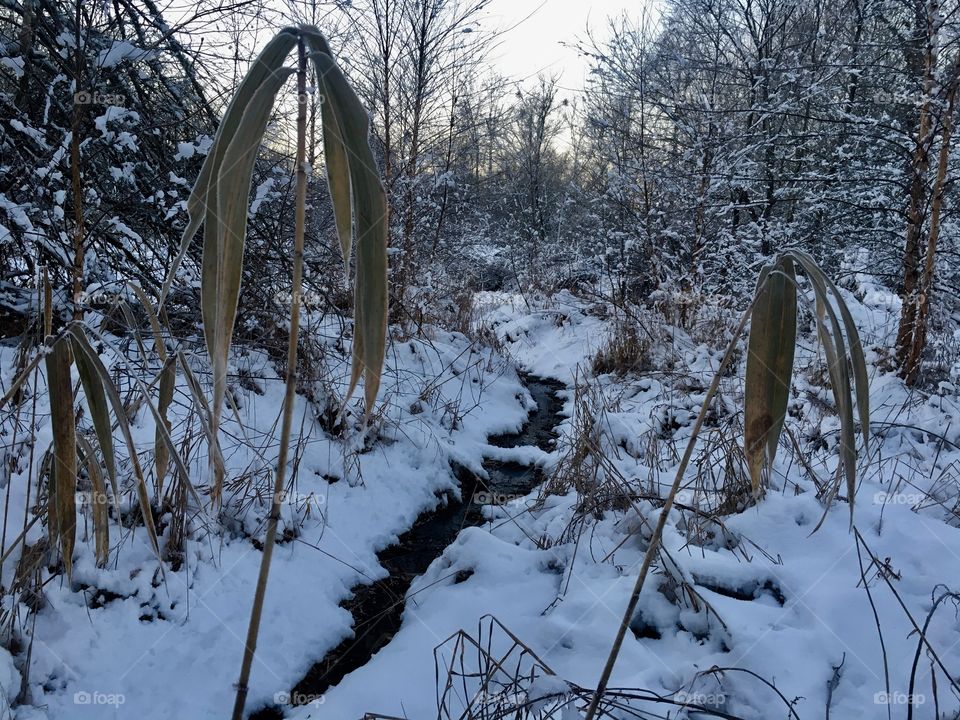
{"points": [[370, 215]]}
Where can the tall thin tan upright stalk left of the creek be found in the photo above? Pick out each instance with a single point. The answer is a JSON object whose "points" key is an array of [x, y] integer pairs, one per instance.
{"points": [[289, 395]]}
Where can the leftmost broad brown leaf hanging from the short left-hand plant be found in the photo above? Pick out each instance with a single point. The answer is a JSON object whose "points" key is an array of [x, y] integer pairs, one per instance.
{"points": [[64, 468]]}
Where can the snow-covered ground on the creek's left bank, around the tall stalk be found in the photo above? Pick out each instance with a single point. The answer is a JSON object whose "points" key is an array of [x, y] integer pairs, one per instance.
{"points": [[169, 645]]}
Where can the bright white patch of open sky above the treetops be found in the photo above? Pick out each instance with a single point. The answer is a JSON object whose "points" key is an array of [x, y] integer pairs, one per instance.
{"points": [[536, 43]]}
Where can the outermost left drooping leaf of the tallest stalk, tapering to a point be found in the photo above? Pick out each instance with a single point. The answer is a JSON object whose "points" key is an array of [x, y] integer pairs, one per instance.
{"points": [[203, 196]]}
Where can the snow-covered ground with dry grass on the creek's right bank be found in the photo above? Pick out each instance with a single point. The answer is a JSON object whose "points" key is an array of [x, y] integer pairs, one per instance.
{"points": [[762, 612]]}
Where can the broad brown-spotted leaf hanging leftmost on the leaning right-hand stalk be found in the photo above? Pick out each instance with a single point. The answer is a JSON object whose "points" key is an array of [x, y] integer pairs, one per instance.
{"points": [[773, 333]]}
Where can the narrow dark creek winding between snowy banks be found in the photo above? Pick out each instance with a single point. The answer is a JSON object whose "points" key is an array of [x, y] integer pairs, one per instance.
{"points": [[377, 608]]}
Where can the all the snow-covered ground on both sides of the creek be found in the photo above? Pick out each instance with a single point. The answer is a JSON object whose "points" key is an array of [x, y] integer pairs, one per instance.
{"points": [[748, 612]]}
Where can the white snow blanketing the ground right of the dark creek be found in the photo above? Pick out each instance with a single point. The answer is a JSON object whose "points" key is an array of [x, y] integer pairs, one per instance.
{"points": [[565, 602]]}
